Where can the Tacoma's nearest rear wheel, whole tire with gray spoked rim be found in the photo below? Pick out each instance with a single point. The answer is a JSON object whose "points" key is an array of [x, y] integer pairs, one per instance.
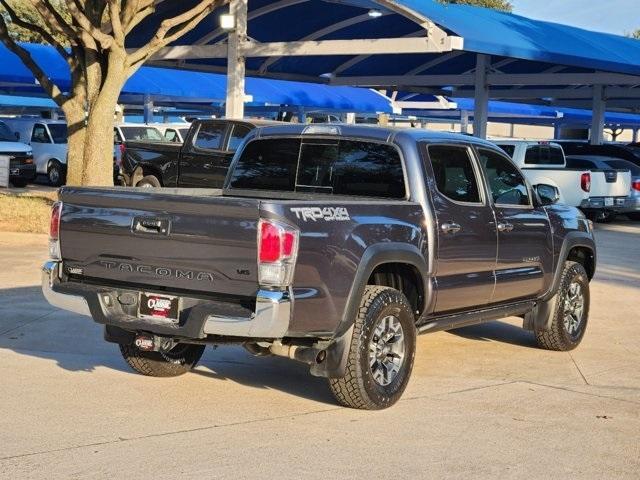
{"points": [[381, 353]]}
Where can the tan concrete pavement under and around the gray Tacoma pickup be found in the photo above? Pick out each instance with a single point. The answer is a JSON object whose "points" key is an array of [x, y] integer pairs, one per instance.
{"points": [[483, 401]]}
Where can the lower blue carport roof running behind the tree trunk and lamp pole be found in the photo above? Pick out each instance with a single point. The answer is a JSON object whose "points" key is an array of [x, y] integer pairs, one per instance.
{"points": [[169, 85]]}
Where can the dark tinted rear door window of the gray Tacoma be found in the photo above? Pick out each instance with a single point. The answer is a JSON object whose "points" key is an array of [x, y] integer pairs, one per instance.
{"points": [[454, 173]]}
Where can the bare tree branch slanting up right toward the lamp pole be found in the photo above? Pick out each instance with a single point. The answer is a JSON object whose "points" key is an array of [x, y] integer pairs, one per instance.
{"points": [[172, 29]]}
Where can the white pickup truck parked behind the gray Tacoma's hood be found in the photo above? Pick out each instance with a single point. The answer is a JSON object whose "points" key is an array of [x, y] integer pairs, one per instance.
{"points": [[593, 191]]}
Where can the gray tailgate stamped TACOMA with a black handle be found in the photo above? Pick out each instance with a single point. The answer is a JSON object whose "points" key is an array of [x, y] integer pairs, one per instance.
{"points": [[191, 240]]}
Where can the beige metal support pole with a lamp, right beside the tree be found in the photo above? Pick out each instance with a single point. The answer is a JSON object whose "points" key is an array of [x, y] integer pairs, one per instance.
{"points": [[234, 106]]}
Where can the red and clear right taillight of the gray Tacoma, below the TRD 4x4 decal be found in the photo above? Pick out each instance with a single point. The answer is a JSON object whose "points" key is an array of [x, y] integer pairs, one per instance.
{"points": [[277, 251]]}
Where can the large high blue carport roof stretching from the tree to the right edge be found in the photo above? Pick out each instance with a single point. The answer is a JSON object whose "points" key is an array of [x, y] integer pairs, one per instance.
{"points": [[484, 31]]}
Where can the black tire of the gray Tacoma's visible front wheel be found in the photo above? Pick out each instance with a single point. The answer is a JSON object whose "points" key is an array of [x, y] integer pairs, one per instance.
{"points": [[559, 336]]}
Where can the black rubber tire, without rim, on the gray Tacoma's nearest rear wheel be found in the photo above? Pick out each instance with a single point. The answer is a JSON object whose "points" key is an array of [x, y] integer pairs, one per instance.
{"points": [[359, 387]]}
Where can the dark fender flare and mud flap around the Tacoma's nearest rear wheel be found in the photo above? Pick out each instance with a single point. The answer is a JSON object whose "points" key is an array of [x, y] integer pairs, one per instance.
{"points": [[391, 252]]}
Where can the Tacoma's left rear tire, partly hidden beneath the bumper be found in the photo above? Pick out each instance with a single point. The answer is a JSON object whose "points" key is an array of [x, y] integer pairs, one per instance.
{"points": [[182, 358]]}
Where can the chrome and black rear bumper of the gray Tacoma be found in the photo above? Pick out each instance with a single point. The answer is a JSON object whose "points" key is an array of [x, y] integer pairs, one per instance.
{"points": [[265, 317]]}
